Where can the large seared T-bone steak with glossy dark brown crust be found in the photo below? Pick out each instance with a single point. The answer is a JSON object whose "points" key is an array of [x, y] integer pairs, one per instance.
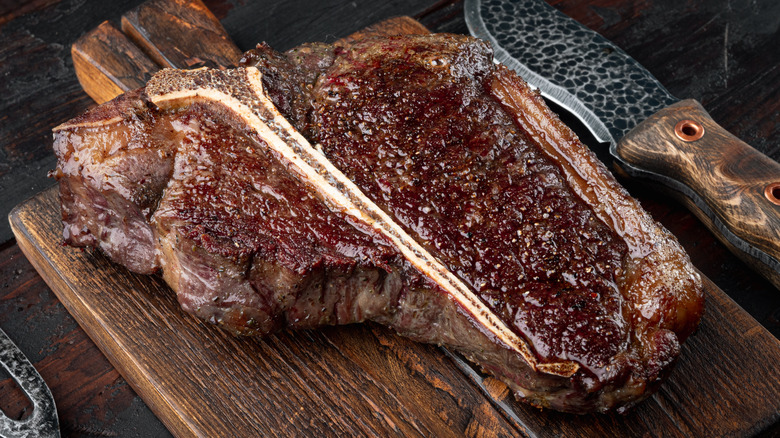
{"points": [[442, 199]]}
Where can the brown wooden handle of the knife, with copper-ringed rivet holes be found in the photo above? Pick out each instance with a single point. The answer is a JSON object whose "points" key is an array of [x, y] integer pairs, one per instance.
{"points": [[731, 187]]}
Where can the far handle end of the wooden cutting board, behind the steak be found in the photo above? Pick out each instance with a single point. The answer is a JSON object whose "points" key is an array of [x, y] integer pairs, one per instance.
{"points": [[176, 34]]}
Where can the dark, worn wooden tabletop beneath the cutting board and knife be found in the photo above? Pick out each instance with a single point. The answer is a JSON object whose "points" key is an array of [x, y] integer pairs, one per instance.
{"points": [[725, 53]]}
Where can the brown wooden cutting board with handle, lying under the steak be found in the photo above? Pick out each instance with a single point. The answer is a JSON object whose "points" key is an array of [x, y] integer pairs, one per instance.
{"points": [[353, 380]]}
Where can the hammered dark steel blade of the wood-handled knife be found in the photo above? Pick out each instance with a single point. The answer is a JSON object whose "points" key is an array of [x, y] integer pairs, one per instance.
{"points": [[570, 64]]}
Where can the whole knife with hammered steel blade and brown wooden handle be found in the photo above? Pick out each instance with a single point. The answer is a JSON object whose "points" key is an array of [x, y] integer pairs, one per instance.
{"points": [[732, 188]]}
